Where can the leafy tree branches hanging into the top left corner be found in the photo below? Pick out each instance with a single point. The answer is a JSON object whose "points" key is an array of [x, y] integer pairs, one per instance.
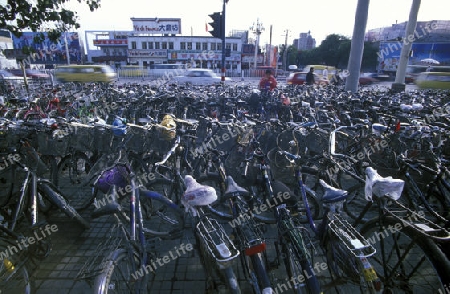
{"points": [[37, 15]]}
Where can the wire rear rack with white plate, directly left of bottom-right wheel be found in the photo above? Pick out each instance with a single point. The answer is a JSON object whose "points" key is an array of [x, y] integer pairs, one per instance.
{"points": [[355, 243]]}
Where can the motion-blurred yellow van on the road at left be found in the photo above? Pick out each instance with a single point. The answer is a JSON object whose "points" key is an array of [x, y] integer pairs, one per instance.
{"points": [[85, 73]]}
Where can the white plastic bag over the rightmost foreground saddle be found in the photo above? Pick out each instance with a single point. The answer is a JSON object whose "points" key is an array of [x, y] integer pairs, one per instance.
{"points": [[380, 186]]}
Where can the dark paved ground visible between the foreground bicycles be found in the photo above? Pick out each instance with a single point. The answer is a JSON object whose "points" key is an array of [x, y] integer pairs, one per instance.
{"points": [[72, 247]]}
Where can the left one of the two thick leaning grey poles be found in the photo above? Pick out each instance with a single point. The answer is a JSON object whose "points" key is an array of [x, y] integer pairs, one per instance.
{"points": [[357, 47]]}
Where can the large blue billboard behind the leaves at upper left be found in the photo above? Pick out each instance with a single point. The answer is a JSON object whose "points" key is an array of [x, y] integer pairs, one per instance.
{"points": [[48, 52]]}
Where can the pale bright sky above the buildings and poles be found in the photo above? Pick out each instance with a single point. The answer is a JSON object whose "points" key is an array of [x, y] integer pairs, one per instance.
{"points": [[291, 17]]}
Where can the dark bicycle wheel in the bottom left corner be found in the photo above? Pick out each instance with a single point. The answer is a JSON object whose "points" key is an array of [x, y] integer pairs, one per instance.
{"points": [[20, 281]]}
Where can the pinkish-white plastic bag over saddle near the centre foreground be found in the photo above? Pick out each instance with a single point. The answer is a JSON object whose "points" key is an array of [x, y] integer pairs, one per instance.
{"points": [[197, 194]]}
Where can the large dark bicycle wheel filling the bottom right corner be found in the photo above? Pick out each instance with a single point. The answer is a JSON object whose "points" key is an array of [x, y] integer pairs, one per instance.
{"points": [[435, 267]]}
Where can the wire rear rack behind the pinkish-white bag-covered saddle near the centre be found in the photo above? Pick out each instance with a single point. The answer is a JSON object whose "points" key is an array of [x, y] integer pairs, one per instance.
{"points": [[216, 242]]}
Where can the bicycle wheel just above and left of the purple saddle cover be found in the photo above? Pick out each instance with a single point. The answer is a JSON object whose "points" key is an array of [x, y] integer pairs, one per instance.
{"points": [[74, 167]]}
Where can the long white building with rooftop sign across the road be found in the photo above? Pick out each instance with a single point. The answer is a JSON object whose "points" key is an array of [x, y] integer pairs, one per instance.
{"points": [[158, 40]]}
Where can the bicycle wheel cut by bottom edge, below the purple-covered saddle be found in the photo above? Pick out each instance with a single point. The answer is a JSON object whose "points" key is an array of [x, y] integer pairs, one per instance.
{"points": [[118, 274]]}
